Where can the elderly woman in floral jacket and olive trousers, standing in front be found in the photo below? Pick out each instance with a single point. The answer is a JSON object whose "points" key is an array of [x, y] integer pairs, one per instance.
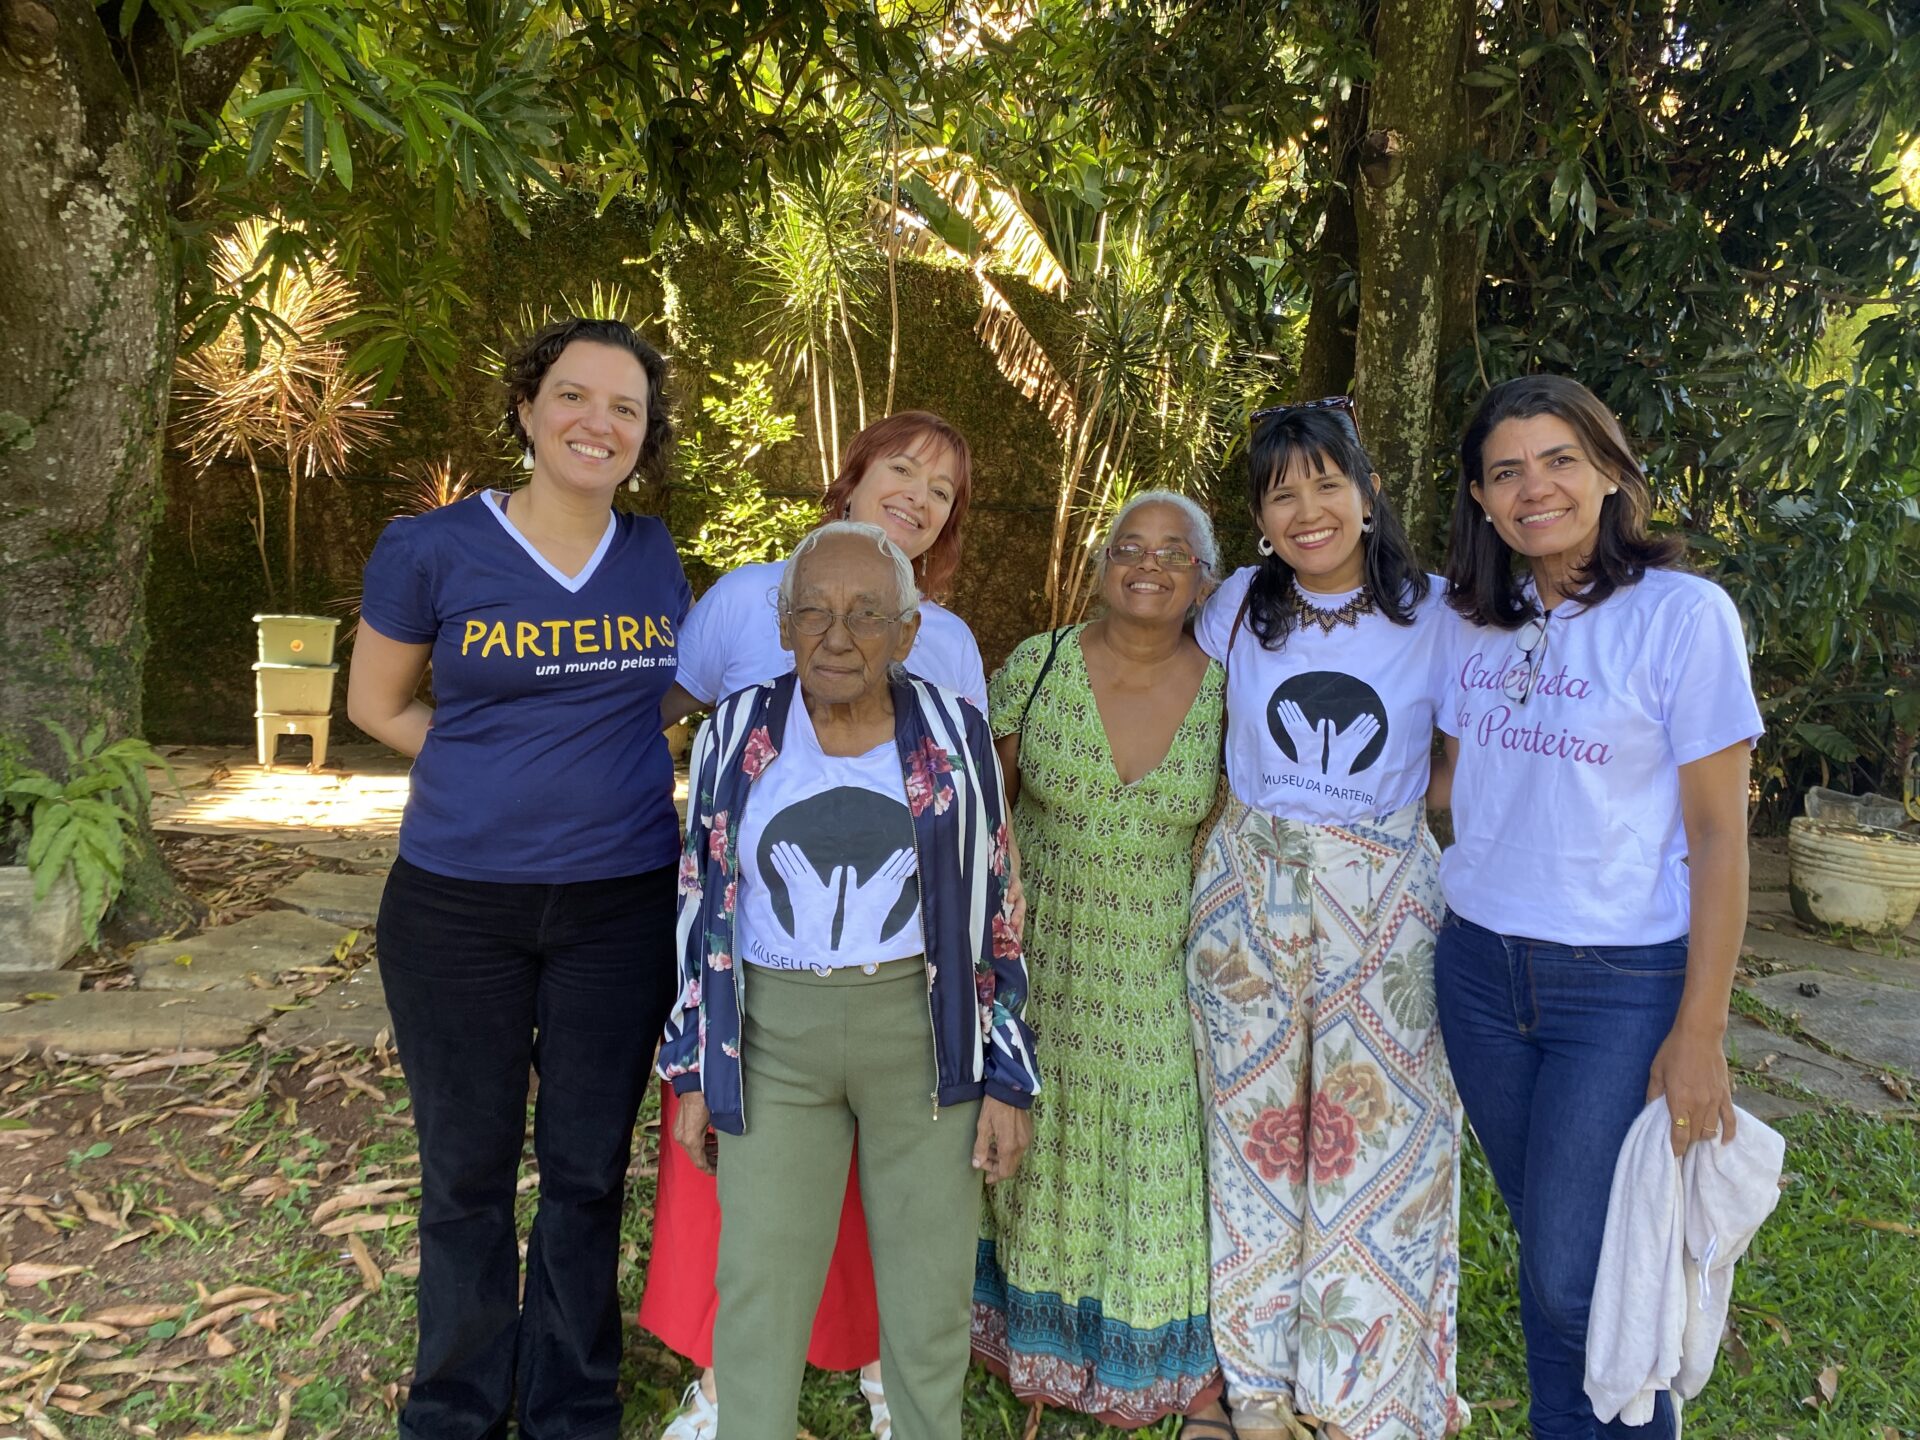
{"points": [[848, 967]]}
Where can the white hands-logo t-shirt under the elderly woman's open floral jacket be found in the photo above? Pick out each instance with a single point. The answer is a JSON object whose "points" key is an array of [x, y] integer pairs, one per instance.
{"points": [[827, 859]]}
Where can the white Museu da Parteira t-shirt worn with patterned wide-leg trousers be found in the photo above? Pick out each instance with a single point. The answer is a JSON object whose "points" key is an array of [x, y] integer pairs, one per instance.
{"points": [[1332, 727]]}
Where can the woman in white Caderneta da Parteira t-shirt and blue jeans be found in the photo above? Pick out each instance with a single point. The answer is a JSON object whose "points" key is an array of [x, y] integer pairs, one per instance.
{"points": [[1600, 723]]}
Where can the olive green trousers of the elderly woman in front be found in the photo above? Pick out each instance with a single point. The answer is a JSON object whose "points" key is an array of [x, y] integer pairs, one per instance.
{"points": [[828, 1059]]}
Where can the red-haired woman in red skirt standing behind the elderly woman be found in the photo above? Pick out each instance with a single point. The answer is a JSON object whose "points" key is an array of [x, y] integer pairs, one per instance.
{"points": [[911, 475]]}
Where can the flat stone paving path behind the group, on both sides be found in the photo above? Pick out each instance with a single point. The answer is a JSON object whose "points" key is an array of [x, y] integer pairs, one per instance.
{"points": [[1836, 1026]]}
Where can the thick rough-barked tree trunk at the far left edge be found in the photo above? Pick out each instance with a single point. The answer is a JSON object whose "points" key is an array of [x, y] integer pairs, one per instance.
{"points": [[87, 295]]}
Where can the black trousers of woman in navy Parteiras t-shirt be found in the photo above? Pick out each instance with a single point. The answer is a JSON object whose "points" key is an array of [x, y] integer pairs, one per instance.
{"points": [[487, 982]]}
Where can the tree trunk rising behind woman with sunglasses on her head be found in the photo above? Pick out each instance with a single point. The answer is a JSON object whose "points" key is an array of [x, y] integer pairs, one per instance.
{"points": [[1418, 124]]}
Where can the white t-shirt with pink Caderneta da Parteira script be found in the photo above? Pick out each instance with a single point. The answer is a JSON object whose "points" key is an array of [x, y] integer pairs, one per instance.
{"points": [[1568, 809]]}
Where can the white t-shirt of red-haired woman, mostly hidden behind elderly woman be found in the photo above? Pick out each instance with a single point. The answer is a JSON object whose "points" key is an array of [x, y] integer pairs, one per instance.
{"points": [[731, 640]]}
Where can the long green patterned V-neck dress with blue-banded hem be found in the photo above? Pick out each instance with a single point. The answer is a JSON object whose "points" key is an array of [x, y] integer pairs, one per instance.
{"points": [[1092, 1289]]}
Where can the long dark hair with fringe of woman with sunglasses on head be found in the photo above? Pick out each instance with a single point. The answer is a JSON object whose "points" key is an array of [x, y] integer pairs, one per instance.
{"points": [[1328, 441]]}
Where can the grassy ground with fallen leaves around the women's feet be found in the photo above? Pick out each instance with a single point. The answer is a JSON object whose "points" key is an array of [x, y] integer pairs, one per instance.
{"points": [[1821, 1287]]}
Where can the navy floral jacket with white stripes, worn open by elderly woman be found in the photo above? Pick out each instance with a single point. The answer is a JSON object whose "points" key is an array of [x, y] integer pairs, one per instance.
{"points": [[976, 972]]}
